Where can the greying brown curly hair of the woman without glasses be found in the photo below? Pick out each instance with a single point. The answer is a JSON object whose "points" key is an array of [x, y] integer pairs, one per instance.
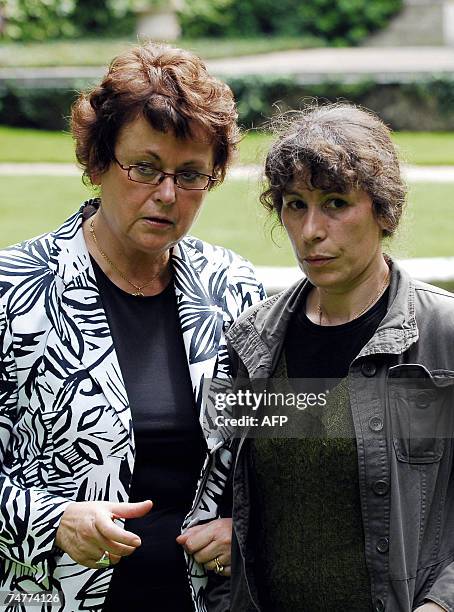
{"points": [[336, 147]]}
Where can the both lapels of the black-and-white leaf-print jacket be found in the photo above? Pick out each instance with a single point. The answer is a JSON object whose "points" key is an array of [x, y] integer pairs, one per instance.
{"points": [[83, 321]]}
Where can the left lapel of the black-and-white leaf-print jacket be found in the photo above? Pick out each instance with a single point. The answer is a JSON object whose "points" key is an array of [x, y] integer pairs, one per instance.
{"points": [[83, 326]]}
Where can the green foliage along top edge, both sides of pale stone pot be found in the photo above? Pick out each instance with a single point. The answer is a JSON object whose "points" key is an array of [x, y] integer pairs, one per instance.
{"points": [[335, 22]]}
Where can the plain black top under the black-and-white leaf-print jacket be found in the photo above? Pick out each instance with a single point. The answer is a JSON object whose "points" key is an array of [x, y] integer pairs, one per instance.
{"points": [[169, 445]]}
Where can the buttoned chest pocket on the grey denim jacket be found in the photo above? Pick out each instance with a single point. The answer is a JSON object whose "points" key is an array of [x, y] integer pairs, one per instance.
{"points": [[421, 407]]}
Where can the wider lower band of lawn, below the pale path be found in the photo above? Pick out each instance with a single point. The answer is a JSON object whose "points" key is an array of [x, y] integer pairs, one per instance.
{"points": [[231, 217]]}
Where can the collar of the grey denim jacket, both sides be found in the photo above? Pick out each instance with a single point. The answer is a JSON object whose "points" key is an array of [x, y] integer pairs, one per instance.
{"points": [[258, 336]]}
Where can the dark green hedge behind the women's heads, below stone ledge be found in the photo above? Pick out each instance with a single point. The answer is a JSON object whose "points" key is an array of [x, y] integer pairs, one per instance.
{"points": [[421, 105]]}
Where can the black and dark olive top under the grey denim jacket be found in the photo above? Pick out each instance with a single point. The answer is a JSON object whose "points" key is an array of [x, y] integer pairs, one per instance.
{"points": [[308, 532]]}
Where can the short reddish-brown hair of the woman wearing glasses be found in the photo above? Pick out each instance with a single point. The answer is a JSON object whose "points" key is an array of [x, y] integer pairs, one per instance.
{"points": [[171, 88]]}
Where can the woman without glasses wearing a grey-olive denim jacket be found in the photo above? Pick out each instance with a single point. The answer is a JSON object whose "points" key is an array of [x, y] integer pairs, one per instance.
{"points": [[355, 509]]}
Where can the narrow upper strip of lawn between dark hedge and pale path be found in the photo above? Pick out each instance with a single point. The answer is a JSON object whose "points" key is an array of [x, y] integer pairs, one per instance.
{"points": [[25, 145]]}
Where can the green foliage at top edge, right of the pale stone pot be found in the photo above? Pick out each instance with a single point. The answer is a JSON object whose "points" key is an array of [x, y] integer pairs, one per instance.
{"points": [[337, 22]]}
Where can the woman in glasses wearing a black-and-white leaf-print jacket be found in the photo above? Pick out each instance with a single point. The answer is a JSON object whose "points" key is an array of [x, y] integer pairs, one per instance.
{"points": [[108, 327]]}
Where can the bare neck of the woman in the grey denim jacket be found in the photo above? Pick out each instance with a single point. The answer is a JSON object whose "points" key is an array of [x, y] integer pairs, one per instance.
{"points": [[339, 305]]}
